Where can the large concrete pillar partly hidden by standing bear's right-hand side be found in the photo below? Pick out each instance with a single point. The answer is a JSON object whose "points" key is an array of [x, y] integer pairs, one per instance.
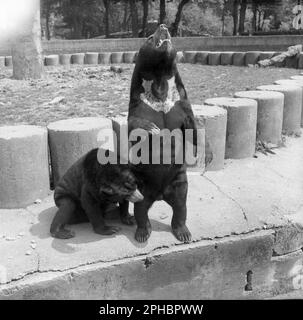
{"points": [[214, 119]]}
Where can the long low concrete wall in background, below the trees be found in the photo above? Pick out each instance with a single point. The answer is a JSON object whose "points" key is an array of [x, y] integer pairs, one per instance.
{"points": [[249, 43]]}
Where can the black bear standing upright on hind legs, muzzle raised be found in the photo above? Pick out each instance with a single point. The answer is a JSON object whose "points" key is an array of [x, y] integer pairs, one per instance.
{"points": [[158, 101]]}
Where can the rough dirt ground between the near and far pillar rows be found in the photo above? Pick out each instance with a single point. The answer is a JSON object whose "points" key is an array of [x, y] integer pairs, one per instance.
{"points": [[78, 91]]}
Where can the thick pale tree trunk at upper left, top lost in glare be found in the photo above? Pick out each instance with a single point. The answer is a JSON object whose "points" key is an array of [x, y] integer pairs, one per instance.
{"points": [[26, 46]]}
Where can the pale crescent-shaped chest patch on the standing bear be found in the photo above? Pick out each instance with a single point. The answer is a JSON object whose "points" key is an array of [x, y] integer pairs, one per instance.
{"points": [[156, 104]]}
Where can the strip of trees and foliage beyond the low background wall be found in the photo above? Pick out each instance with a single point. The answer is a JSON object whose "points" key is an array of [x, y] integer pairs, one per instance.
{"points": [[82, 19]]}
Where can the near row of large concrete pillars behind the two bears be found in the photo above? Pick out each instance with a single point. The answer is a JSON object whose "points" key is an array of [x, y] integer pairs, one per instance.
{"points": [[30, 155]]}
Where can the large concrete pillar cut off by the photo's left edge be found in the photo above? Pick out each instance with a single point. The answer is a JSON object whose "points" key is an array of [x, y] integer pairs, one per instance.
{"points": [[24, 169]]}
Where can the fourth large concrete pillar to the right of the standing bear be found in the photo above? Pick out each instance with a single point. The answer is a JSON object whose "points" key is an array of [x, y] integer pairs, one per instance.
{"points": [[292, 106]]}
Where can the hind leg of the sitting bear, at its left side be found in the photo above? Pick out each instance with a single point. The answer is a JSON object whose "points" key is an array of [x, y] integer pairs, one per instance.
{"points": [[64, 215]]}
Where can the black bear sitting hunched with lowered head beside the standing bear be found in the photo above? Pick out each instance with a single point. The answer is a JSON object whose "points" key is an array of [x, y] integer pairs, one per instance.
{"points": [[87, 189]]}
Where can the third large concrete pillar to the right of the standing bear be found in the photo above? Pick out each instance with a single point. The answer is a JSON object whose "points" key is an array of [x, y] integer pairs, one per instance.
{"points": [[270, 113]]}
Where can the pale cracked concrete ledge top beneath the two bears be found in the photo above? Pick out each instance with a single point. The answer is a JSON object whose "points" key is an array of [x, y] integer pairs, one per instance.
{"points": [[248, 195]]}
